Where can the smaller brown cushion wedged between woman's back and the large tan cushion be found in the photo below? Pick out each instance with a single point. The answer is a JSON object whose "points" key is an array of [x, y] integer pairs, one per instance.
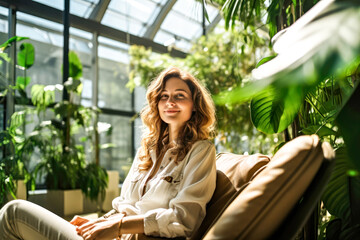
{"points": [[233, 172]]}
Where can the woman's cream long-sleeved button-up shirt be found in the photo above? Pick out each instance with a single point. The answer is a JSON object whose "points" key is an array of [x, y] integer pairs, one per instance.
{"points": [[174, 203]]}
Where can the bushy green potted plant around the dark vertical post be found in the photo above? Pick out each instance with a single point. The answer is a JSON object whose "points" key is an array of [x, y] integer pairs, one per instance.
{"points": [[60, 141]]}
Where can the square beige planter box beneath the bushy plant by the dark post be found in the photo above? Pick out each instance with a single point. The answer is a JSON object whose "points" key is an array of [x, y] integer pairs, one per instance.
{"points": [[65, 202]]}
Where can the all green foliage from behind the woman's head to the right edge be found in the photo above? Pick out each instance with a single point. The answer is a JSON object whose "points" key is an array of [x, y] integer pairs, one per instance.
{"points": [[308, 85]]}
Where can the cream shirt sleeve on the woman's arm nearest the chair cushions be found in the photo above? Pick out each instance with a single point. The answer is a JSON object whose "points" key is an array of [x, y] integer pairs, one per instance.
{"points": [[187, 210]]}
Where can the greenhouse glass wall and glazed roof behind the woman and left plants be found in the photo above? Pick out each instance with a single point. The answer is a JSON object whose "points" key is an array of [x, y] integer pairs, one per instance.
{"points": [[115, 24]]}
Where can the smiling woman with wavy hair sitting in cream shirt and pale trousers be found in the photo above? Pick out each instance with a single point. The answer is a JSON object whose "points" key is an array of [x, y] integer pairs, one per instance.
{"points": [[169, 184]]}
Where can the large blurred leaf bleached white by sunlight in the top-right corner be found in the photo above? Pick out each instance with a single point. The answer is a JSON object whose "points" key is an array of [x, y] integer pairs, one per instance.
{"points": [[320, 43]]}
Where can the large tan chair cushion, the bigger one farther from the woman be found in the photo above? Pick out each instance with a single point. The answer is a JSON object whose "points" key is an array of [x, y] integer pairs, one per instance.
{"points": [[260, 208]]}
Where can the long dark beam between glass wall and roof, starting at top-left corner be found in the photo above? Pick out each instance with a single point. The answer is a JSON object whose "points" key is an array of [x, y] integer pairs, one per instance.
{"points": [[55, 15]]}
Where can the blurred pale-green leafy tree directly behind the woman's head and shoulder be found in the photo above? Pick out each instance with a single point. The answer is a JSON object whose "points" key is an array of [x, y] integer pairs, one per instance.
{"points": [[222, 61]]}
